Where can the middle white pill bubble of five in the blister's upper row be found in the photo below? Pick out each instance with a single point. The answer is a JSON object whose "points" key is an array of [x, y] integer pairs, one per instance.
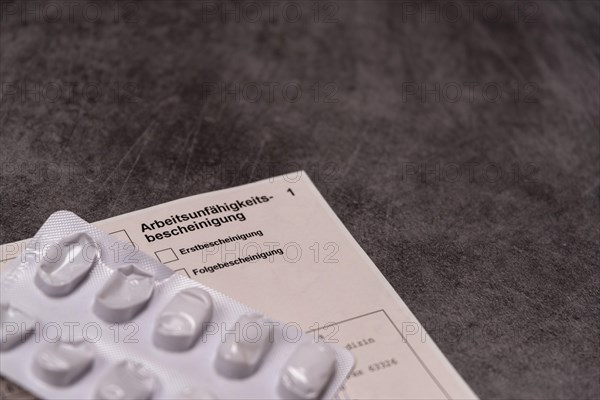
{"points": [[180, 323]]}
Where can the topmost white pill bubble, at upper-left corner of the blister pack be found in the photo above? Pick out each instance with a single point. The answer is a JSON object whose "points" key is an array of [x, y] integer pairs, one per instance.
{"points": [[59, 274]]}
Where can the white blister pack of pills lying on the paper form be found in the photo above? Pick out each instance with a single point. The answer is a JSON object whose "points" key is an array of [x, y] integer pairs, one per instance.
{"points": [[85, 316]]}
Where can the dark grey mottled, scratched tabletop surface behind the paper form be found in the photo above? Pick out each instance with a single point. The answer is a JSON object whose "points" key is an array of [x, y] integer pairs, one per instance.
{"points": [[459, 144]]}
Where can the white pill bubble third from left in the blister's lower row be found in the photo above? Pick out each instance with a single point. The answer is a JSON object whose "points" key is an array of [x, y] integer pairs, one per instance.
{"points": [[127, 380]]}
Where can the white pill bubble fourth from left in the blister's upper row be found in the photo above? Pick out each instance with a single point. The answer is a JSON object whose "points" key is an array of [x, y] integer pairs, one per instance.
{"points": [[244, 348]]}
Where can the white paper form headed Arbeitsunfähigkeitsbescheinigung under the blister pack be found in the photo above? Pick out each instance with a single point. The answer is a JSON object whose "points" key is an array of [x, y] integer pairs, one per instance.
{"points": [[277, 246]]}
